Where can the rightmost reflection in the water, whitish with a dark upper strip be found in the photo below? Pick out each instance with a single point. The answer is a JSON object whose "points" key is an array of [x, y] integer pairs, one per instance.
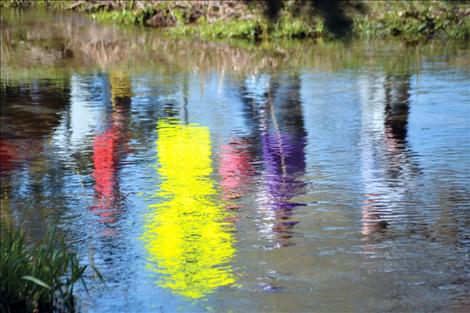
{"points": [[386, 166]]}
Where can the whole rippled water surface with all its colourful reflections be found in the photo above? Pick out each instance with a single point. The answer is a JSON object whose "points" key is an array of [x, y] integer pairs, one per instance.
{"points": [[297, 176]]}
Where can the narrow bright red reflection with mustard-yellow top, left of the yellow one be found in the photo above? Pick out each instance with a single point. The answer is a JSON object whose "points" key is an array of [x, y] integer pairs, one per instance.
{"points": [[109, 148]]}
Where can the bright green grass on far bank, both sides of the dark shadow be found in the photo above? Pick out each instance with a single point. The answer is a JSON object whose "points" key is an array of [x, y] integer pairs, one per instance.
{"points": [[407, 20]]}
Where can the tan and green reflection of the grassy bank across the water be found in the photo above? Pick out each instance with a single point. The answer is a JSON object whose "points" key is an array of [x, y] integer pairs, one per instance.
{"points": [[51, 47]]}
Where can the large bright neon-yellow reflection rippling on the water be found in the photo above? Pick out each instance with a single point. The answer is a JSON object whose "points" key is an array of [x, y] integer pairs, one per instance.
{"points": [[186, 236]]}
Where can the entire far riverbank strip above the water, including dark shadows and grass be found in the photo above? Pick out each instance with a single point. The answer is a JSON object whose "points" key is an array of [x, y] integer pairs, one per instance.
{"points": [[262, 20]]}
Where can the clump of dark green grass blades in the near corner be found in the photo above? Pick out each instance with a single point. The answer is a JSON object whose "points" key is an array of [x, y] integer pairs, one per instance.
{"points": [[39, 277]]}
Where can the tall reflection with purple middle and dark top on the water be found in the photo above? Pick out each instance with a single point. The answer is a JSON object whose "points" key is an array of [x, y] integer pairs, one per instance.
{"points": [[282, 137]]}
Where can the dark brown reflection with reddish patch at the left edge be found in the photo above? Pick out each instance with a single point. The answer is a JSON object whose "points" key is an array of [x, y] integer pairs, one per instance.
{"points": [[29, 113]]}
